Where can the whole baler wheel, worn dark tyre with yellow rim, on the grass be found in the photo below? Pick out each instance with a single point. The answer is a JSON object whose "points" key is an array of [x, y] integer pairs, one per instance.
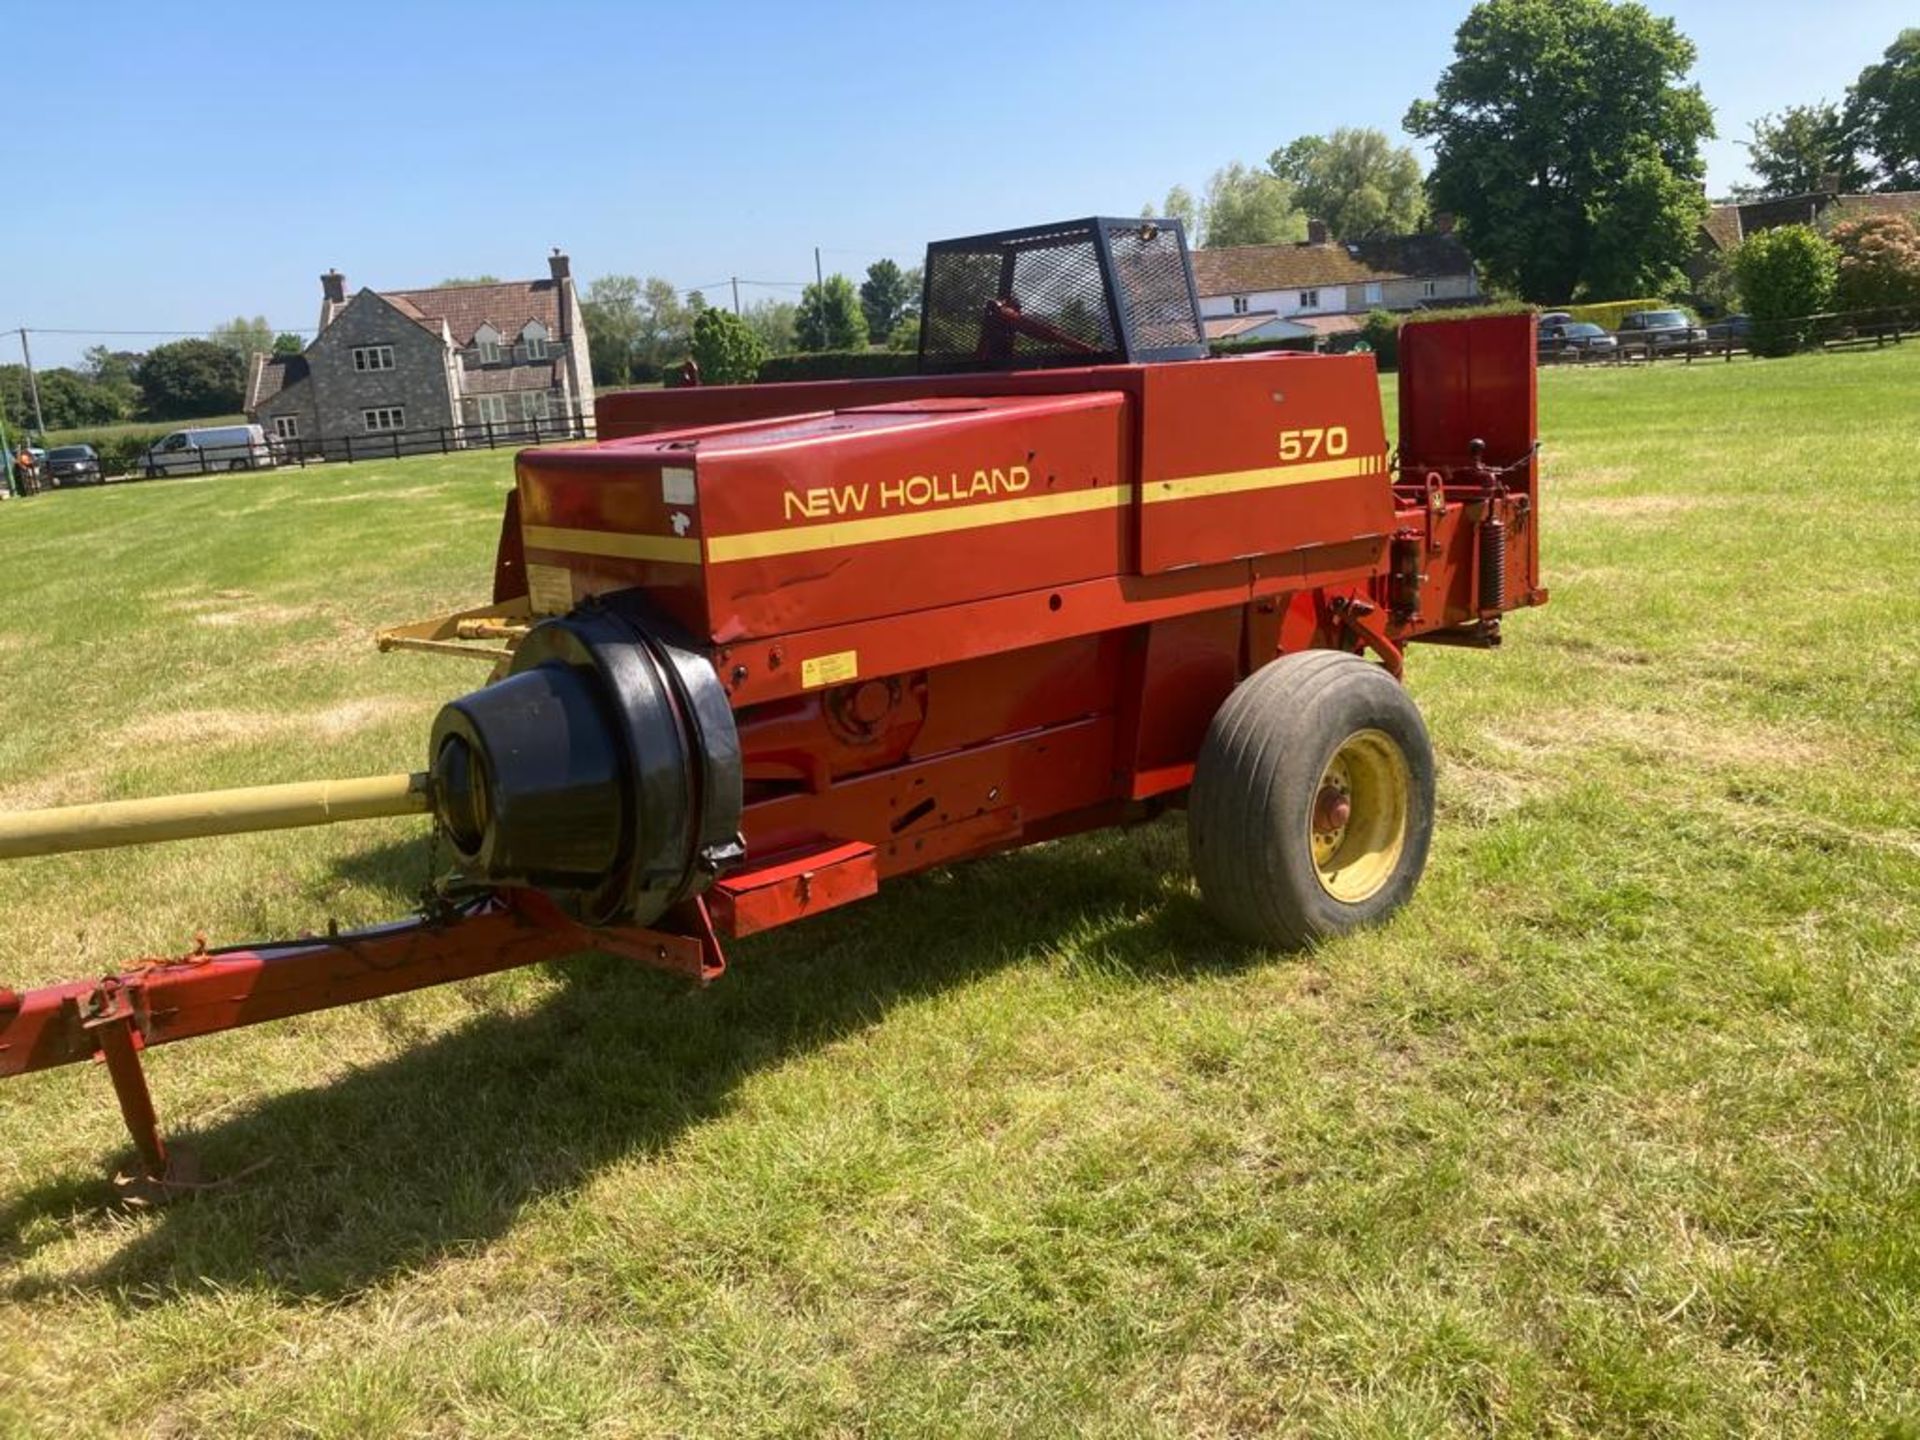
{"points": [[1259, 782]]}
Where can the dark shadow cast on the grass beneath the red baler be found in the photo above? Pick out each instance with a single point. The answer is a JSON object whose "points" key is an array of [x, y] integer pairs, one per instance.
{"points": [[444, 1145]]}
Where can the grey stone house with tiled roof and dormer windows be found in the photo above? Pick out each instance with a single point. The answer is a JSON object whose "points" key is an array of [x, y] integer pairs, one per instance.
{"points": [[466, 360]]}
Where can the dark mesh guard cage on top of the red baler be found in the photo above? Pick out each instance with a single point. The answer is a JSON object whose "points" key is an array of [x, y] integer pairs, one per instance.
{"points": [[1080, 293]]}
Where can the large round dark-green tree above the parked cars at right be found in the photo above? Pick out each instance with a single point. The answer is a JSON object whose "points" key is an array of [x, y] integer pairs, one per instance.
{"points": [[1556, 124]]}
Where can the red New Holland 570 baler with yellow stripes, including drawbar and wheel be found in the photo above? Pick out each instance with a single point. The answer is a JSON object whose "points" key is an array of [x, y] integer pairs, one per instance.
{"points": [[773, 646]]}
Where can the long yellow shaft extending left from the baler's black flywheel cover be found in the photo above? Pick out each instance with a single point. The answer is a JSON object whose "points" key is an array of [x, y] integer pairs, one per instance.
{"points": [[210, 813]]}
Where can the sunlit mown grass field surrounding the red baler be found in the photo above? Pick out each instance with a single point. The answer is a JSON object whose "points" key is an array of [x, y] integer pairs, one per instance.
{"points": [[1614, 1132]]}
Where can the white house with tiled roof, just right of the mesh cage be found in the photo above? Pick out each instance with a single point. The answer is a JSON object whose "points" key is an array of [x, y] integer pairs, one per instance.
{"points": [[1322, 287]]}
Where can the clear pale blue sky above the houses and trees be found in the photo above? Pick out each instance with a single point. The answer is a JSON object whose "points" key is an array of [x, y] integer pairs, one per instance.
{"points": [[176, 166]]}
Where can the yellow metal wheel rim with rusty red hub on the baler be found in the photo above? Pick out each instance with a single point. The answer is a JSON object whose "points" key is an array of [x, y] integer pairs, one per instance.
{"points": [[1358, 819]]}
